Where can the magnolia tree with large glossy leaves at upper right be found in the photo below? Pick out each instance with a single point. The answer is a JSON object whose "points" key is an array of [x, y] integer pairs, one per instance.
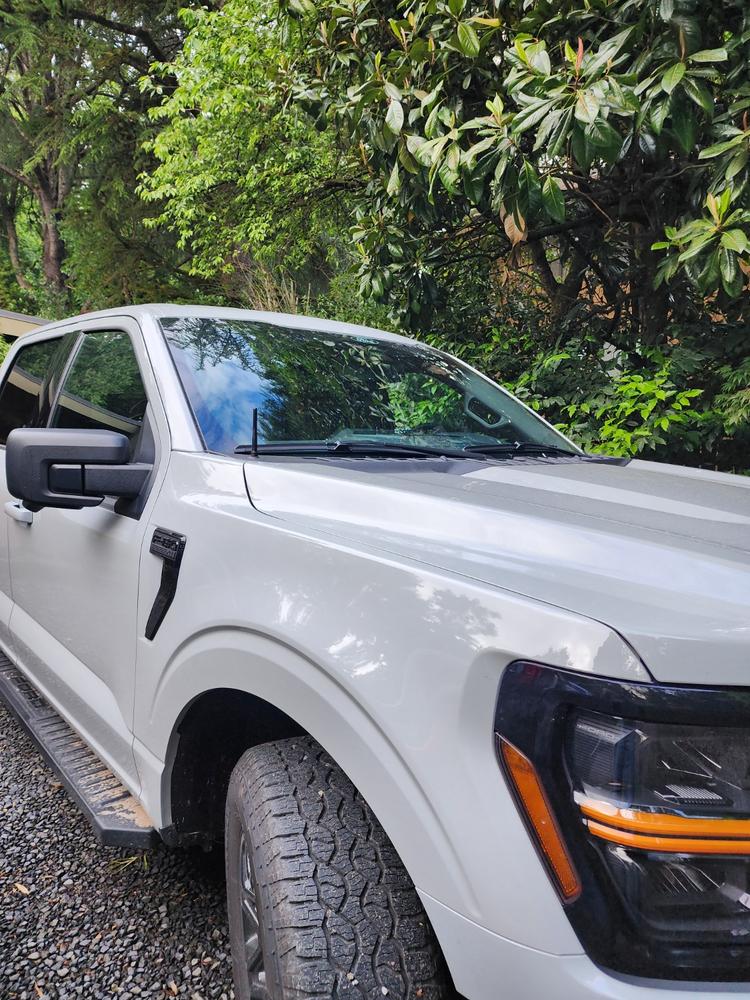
{"points": [[603, 145]]}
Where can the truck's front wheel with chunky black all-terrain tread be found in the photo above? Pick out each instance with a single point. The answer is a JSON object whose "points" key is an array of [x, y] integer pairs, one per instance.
{"points": [[320, 904]]}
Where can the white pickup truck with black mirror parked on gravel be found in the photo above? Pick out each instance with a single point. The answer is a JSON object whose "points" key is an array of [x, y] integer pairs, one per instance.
{"points": [[468, 708]]}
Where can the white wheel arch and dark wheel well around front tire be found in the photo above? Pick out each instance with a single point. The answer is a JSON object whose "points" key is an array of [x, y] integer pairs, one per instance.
{"points": [[260, 690]]}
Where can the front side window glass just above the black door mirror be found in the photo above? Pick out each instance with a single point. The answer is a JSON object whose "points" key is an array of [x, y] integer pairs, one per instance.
{"points": [[103, 388]]}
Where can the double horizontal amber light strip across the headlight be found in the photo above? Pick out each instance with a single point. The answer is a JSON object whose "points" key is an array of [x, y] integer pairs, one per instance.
{"points": [[665, 832]]}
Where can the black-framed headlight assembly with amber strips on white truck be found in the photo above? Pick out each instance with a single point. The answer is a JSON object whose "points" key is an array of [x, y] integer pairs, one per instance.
{"points": [[651, 811]]}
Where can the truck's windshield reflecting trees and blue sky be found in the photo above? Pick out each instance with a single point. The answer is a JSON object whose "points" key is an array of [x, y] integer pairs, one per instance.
{"points": [[317, 387]]}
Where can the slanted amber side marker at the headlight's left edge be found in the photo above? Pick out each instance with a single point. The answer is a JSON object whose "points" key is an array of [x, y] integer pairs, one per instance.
{"points": [[534, 802]]}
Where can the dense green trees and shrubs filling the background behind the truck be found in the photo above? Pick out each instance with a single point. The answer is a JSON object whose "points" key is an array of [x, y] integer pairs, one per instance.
{"points": [[559, 192]]}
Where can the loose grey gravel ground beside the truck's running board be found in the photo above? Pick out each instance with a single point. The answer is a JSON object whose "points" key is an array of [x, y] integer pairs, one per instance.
{"points": [[80, 920]]}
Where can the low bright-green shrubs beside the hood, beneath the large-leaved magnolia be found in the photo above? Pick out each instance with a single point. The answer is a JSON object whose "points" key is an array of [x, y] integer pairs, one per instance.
{"points": [[681, 403]]}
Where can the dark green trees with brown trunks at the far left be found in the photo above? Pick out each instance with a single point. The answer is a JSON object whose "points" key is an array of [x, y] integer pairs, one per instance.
{"points": [[72, 123]]}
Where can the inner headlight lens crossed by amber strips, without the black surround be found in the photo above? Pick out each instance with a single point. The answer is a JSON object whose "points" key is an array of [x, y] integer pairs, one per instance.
{"points": [[667, 808]]}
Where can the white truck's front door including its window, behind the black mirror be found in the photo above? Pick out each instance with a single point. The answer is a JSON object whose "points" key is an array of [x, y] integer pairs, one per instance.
{"points": [[74, 573]]}
